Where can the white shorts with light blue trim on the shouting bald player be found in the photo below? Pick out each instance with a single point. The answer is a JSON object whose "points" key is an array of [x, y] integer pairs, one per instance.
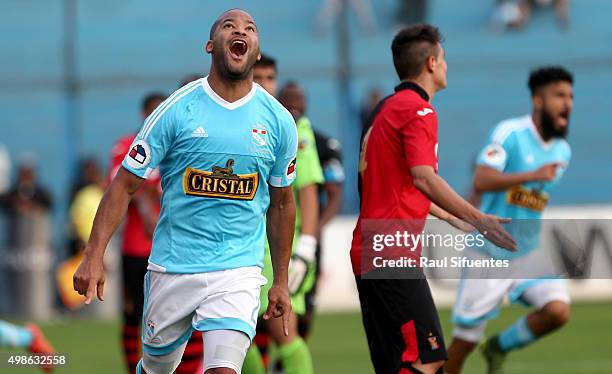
{"points": [[177, 304]]}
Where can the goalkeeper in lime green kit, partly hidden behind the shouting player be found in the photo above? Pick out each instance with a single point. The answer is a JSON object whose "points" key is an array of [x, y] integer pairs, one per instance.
{"points": [[294, 355]]}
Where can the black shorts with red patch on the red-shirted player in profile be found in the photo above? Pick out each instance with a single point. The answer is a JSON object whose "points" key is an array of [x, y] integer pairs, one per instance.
{"points": [[401, 323]]}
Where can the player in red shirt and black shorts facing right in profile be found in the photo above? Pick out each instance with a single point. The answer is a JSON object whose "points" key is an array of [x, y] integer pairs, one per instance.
{"points": [[399, 187]]}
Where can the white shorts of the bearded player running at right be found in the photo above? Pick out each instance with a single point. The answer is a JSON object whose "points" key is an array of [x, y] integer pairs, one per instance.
{"points": [[479, 299]]}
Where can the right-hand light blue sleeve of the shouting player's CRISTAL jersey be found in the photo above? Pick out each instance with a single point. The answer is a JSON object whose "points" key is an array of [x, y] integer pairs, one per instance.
{"points": [[283, 172]]}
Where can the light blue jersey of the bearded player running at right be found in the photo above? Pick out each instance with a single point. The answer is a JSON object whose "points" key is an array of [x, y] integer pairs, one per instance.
{"points": [[515, 146]]}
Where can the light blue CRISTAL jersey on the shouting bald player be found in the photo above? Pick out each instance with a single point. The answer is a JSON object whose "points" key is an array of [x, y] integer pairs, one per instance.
{"points": [[216, 160]]}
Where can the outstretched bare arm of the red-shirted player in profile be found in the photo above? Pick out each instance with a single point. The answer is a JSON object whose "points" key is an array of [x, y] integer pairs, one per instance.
{"points": [[439, 192]]}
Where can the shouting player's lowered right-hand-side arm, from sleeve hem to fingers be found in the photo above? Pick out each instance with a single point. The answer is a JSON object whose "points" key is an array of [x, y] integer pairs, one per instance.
{"points": [[280, 226]]}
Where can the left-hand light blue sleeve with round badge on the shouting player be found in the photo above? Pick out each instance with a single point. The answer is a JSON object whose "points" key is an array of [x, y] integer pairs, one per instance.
{"points": [[153, 141]]}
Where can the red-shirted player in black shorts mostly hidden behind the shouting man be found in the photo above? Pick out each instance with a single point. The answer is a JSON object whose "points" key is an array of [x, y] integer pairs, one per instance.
{"points": [[140, 222]]}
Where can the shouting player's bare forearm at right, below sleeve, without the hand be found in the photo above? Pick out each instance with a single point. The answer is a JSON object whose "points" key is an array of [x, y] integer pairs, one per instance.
{"points": [[280, 226]]}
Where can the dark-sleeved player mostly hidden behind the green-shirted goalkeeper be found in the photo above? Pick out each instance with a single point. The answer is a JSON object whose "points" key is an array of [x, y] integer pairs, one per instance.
{"points": [[330, 203]]}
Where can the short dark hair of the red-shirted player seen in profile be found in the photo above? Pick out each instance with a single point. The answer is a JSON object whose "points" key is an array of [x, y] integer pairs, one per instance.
{"points": [[411, 48]]}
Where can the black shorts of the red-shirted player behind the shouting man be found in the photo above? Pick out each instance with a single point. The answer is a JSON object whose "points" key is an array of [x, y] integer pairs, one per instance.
{"points": [[133, 272]]}
